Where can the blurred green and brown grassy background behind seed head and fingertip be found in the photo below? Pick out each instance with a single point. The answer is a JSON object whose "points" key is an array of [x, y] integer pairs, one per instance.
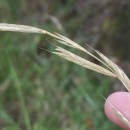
{"points": [[40, 91]]}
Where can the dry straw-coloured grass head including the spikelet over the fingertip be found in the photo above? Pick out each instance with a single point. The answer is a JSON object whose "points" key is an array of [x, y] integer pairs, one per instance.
{"points": [[110, 69]]}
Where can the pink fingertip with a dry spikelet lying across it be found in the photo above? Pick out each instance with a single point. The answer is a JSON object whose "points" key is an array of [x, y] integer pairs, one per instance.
{"points": [[121, 101]]}
